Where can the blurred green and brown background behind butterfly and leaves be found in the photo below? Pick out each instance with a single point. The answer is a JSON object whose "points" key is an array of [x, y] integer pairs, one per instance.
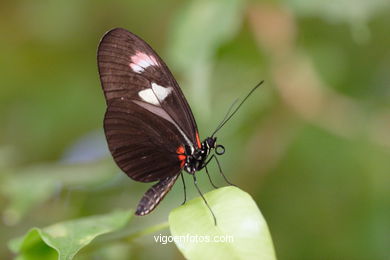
{"points": [[312, 146]]}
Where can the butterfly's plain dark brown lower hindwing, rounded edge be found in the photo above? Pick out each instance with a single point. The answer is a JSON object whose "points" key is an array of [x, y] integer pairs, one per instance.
{"points": [[142, 139]]}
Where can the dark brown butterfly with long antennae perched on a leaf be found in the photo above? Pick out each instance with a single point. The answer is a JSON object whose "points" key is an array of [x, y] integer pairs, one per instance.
{"points": [[149, 126]]}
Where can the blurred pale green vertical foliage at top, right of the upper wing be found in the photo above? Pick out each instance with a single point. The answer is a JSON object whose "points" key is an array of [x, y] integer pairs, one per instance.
{"points": [[194, 58]]}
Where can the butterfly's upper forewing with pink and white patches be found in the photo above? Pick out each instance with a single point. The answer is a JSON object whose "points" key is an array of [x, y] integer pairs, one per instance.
{"points": [[130, 68]]}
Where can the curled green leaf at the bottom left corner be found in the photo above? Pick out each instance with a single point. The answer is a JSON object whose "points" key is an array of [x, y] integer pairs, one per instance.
{"points": [[63, 240]]}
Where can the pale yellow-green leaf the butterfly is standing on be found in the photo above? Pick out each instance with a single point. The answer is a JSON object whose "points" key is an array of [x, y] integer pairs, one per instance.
{"points": [[238, 220]]}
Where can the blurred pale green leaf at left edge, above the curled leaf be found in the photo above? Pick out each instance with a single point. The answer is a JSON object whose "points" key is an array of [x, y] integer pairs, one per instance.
{"points": [[34, 185]]}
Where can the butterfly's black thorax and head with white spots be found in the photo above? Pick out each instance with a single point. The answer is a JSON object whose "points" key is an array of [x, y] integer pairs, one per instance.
{"points": [[195, 161]]}
